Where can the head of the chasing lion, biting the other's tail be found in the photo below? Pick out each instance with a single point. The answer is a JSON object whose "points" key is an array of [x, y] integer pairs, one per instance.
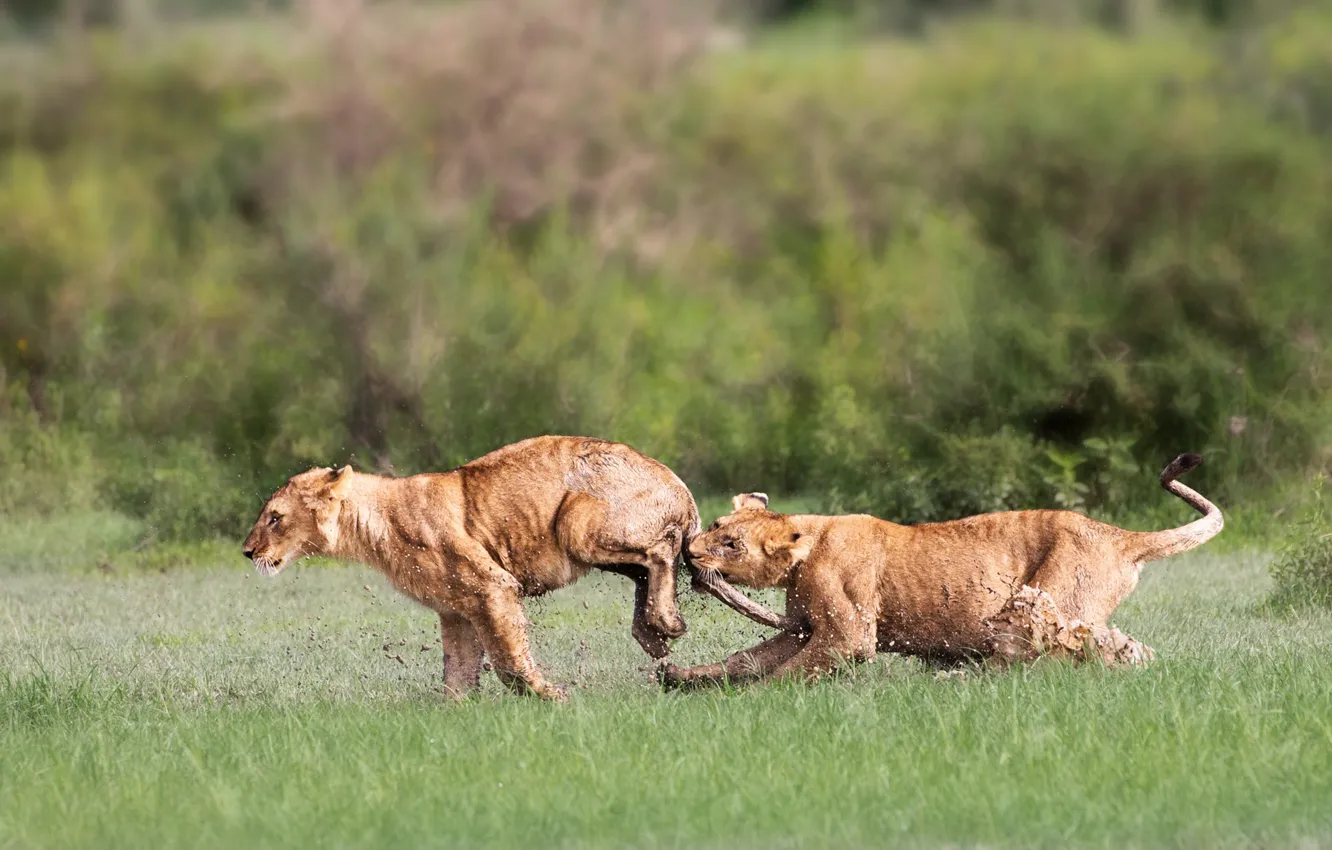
{"points": [[752, 546]]}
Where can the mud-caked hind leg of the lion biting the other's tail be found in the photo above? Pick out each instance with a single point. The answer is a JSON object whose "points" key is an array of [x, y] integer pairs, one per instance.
{"points": [[1032, 626]]}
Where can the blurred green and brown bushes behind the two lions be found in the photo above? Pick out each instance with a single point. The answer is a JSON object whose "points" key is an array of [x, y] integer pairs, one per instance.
{"points": [[1002, 266]]}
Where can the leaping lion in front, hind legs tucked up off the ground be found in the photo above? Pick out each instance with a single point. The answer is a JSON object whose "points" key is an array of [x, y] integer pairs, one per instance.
{"points": [[470, 544]]}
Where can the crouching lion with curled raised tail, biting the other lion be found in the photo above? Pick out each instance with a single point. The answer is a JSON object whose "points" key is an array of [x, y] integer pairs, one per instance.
{"points": [[1006, 586]]}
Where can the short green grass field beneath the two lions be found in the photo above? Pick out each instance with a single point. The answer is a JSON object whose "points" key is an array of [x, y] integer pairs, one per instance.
{"points": [[199, 705]]}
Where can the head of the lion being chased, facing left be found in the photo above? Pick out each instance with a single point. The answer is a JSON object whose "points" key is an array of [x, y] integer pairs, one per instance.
{"points": [[299, 520]]}
